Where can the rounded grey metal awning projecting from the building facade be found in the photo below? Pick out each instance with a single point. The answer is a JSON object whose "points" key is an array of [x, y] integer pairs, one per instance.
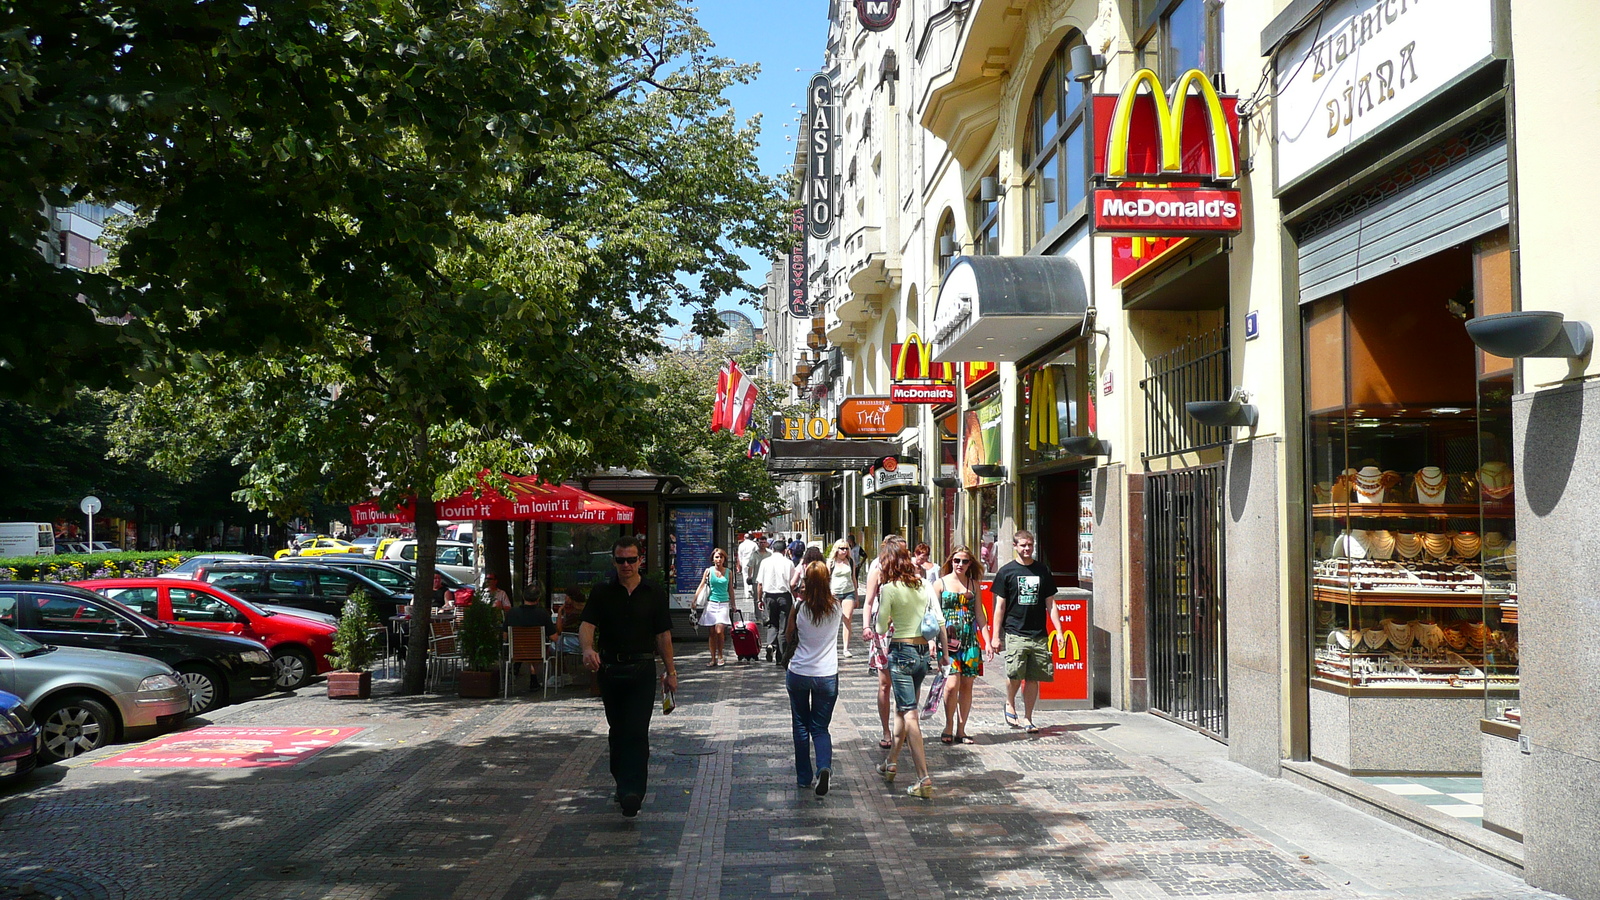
{"points": [[1006, 308]]}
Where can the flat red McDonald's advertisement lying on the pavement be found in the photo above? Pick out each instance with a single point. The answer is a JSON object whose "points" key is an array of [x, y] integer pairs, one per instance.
{"points": [[217, 747]]}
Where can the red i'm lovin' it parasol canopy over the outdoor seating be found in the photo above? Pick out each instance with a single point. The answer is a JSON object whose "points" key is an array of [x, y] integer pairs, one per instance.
{"points": [[530, 502]]}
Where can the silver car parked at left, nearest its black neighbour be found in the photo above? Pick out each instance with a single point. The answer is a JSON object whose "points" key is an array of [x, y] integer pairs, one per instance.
{"points": [[87, 699]]}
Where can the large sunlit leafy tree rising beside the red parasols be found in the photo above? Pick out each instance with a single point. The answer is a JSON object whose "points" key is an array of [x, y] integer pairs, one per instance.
{"points": [[494, 329]]}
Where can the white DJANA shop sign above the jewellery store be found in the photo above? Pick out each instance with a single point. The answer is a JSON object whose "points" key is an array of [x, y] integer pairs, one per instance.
{"points": [[1364, 63]]}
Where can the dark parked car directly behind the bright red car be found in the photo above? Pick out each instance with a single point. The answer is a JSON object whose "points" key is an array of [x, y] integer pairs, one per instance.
{"points": [[302, 585]]}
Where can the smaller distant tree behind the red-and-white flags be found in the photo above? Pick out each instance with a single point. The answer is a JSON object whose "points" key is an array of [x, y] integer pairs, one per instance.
{"points": [[681, 414]]}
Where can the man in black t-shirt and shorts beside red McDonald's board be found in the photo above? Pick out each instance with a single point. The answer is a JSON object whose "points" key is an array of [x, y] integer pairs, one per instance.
{"points": [[1025, 600]]}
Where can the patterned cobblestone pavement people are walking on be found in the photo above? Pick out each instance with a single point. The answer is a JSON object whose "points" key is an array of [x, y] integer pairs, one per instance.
{"points": [[511, 800]]}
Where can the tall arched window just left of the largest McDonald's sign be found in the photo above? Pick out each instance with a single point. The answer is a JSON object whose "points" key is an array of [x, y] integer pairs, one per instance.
{"points": [[1055, 151]]}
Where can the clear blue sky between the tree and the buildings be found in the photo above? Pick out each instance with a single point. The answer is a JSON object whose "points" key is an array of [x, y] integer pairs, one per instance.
{"points": [[786, 38]]}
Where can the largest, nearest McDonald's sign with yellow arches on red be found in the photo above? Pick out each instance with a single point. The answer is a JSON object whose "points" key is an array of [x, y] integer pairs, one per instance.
{"points": [[1167, 166]]}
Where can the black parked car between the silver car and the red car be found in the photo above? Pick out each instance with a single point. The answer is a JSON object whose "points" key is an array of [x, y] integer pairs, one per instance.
{"points": [[217, 669]]}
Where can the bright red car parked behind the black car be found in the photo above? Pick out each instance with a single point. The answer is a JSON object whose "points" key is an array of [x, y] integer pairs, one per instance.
{"points": [[300, 646]]}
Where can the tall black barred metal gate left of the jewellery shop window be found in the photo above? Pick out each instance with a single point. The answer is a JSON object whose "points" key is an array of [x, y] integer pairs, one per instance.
{"points": [[1186, 609]]}
